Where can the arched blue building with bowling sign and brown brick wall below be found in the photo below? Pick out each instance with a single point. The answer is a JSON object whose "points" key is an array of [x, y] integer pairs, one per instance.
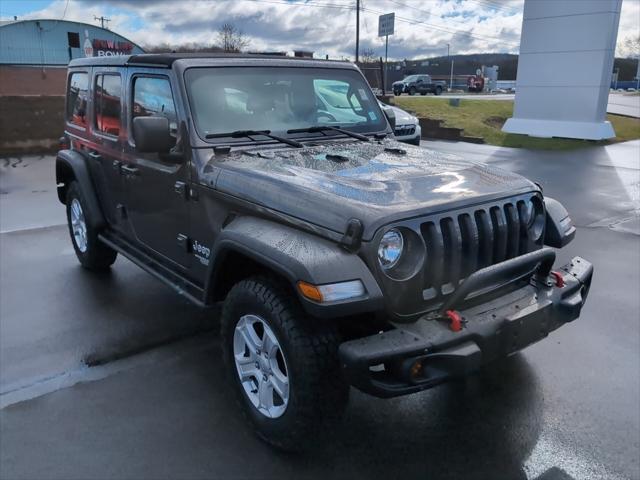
{"points": [[33, 70]]}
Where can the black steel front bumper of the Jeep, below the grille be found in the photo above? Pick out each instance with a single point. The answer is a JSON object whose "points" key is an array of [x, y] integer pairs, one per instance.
{"points": [[416, 356]]}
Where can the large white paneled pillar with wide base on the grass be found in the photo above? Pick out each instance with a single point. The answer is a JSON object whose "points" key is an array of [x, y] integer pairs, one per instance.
{"points": [[564, 69]]}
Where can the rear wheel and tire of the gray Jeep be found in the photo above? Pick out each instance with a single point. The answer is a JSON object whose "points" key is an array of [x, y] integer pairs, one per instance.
{"points": [[92, 254]]}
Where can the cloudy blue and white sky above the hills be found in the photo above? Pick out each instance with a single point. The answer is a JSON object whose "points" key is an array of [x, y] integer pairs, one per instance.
{"points": [[423, 28]]}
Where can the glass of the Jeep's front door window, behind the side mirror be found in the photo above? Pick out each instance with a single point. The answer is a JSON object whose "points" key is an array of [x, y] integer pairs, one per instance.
{"points": [[152, 96]]}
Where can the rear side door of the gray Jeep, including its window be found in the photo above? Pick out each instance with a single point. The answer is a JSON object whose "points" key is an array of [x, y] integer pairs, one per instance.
{"points": [[105, 149]]}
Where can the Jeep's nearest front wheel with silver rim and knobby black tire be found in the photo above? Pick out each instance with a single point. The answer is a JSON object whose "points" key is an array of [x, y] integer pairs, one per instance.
{"points": [[282, 365]]}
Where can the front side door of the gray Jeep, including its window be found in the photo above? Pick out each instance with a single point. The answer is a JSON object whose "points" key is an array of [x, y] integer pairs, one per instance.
{"points": [[155, 189]]}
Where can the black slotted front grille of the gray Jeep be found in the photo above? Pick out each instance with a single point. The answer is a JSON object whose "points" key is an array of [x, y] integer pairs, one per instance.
{"points": [[462, 244]]}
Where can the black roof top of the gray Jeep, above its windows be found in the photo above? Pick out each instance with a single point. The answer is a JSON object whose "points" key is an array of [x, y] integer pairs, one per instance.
{"points": [[166, 60]]}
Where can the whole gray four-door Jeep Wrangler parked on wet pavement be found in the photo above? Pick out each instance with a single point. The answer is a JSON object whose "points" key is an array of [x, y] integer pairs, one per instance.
{"points": [[342, 257]]}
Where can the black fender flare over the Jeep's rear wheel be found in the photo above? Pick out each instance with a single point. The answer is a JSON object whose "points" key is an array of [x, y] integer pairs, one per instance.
{"points": [[70, 161]]}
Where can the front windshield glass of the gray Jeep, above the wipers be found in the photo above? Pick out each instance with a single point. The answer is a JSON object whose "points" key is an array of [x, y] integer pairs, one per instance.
{"points": [[227, 99]]}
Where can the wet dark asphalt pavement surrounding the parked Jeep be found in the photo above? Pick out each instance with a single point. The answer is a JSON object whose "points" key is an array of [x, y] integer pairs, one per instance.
{"points": [[154, 403]]}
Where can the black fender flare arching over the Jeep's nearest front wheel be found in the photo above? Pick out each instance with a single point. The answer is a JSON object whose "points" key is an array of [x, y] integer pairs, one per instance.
{"points": [[296, 255]]}
